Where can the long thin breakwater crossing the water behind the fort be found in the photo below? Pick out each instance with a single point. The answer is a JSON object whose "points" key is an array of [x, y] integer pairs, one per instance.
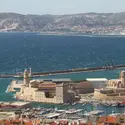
{"points": [[75, 70]]}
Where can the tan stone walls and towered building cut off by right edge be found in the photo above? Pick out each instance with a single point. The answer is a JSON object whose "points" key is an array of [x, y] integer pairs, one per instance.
{"points": [[115, 89]]}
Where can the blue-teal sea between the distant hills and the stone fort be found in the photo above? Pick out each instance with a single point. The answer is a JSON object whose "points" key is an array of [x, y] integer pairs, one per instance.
{"points": [[19, 51]]}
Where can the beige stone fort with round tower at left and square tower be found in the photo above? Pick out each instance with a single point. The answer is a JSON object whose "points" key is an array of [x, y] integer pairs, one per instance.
{"points": [[45, 91]]}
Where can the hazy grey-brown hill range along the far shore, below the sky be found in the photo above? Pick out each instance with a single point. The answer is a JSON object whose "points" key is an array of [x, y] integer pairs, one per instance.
{"points": [[86, 23]]}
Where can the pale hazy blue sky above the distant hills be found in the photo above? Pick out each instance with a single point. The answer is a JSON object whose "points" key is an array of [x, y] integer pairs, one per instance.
{"points": [[61, 6]]}
